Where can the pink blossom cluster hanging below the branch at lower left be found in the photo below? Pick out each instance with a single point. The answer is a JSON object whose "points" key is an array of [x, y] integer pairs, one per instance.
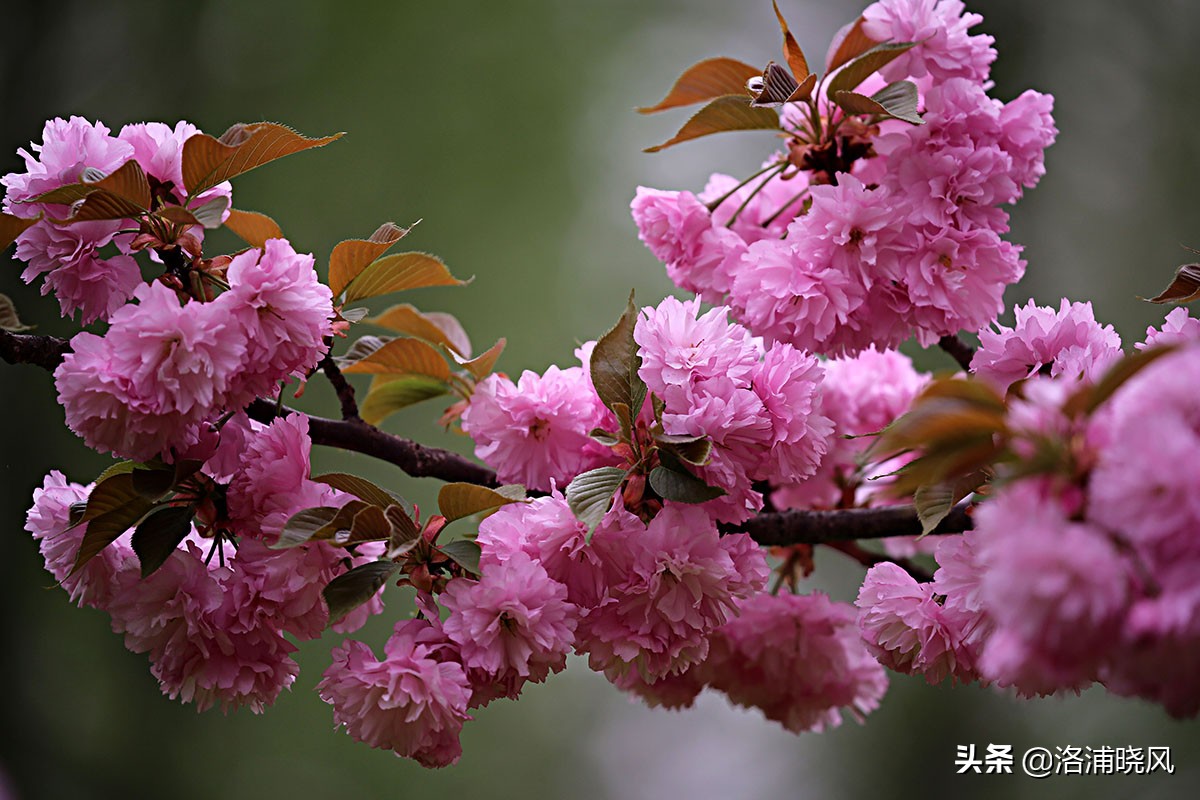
{"points": [[214, 617]]}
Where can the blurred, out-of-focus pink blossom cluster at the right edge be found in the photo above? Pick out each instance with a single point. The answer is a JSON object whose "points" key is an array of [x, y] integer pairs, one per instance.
{"points": [[1083, 569]]}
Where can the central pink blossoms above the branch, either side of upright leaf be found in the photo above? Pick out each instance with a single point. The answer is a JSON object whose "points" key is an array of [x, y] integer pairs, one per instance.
{"points": [[758, 405]]}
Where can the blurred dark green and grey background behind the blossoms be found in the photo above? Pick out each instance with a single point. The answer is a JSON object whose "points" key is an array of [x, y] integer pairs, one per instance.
{"points": [[509, 130]]}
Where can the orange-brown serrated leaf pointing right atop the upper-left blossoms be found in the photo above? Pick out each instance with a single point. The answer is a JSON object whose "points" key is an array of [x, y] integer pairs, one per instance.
{"points": [[243, 148]]}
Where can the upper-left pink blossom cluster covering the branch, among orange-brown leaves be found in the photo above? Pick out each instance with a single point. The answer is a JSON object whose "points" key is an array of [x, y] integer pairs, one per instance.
{"points": [[170, 363]]}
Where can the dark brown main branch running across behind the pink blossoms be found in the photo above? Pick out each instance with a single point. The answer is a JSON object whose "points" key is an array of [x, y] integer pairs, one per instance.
{"points": [[771, 528]]}
